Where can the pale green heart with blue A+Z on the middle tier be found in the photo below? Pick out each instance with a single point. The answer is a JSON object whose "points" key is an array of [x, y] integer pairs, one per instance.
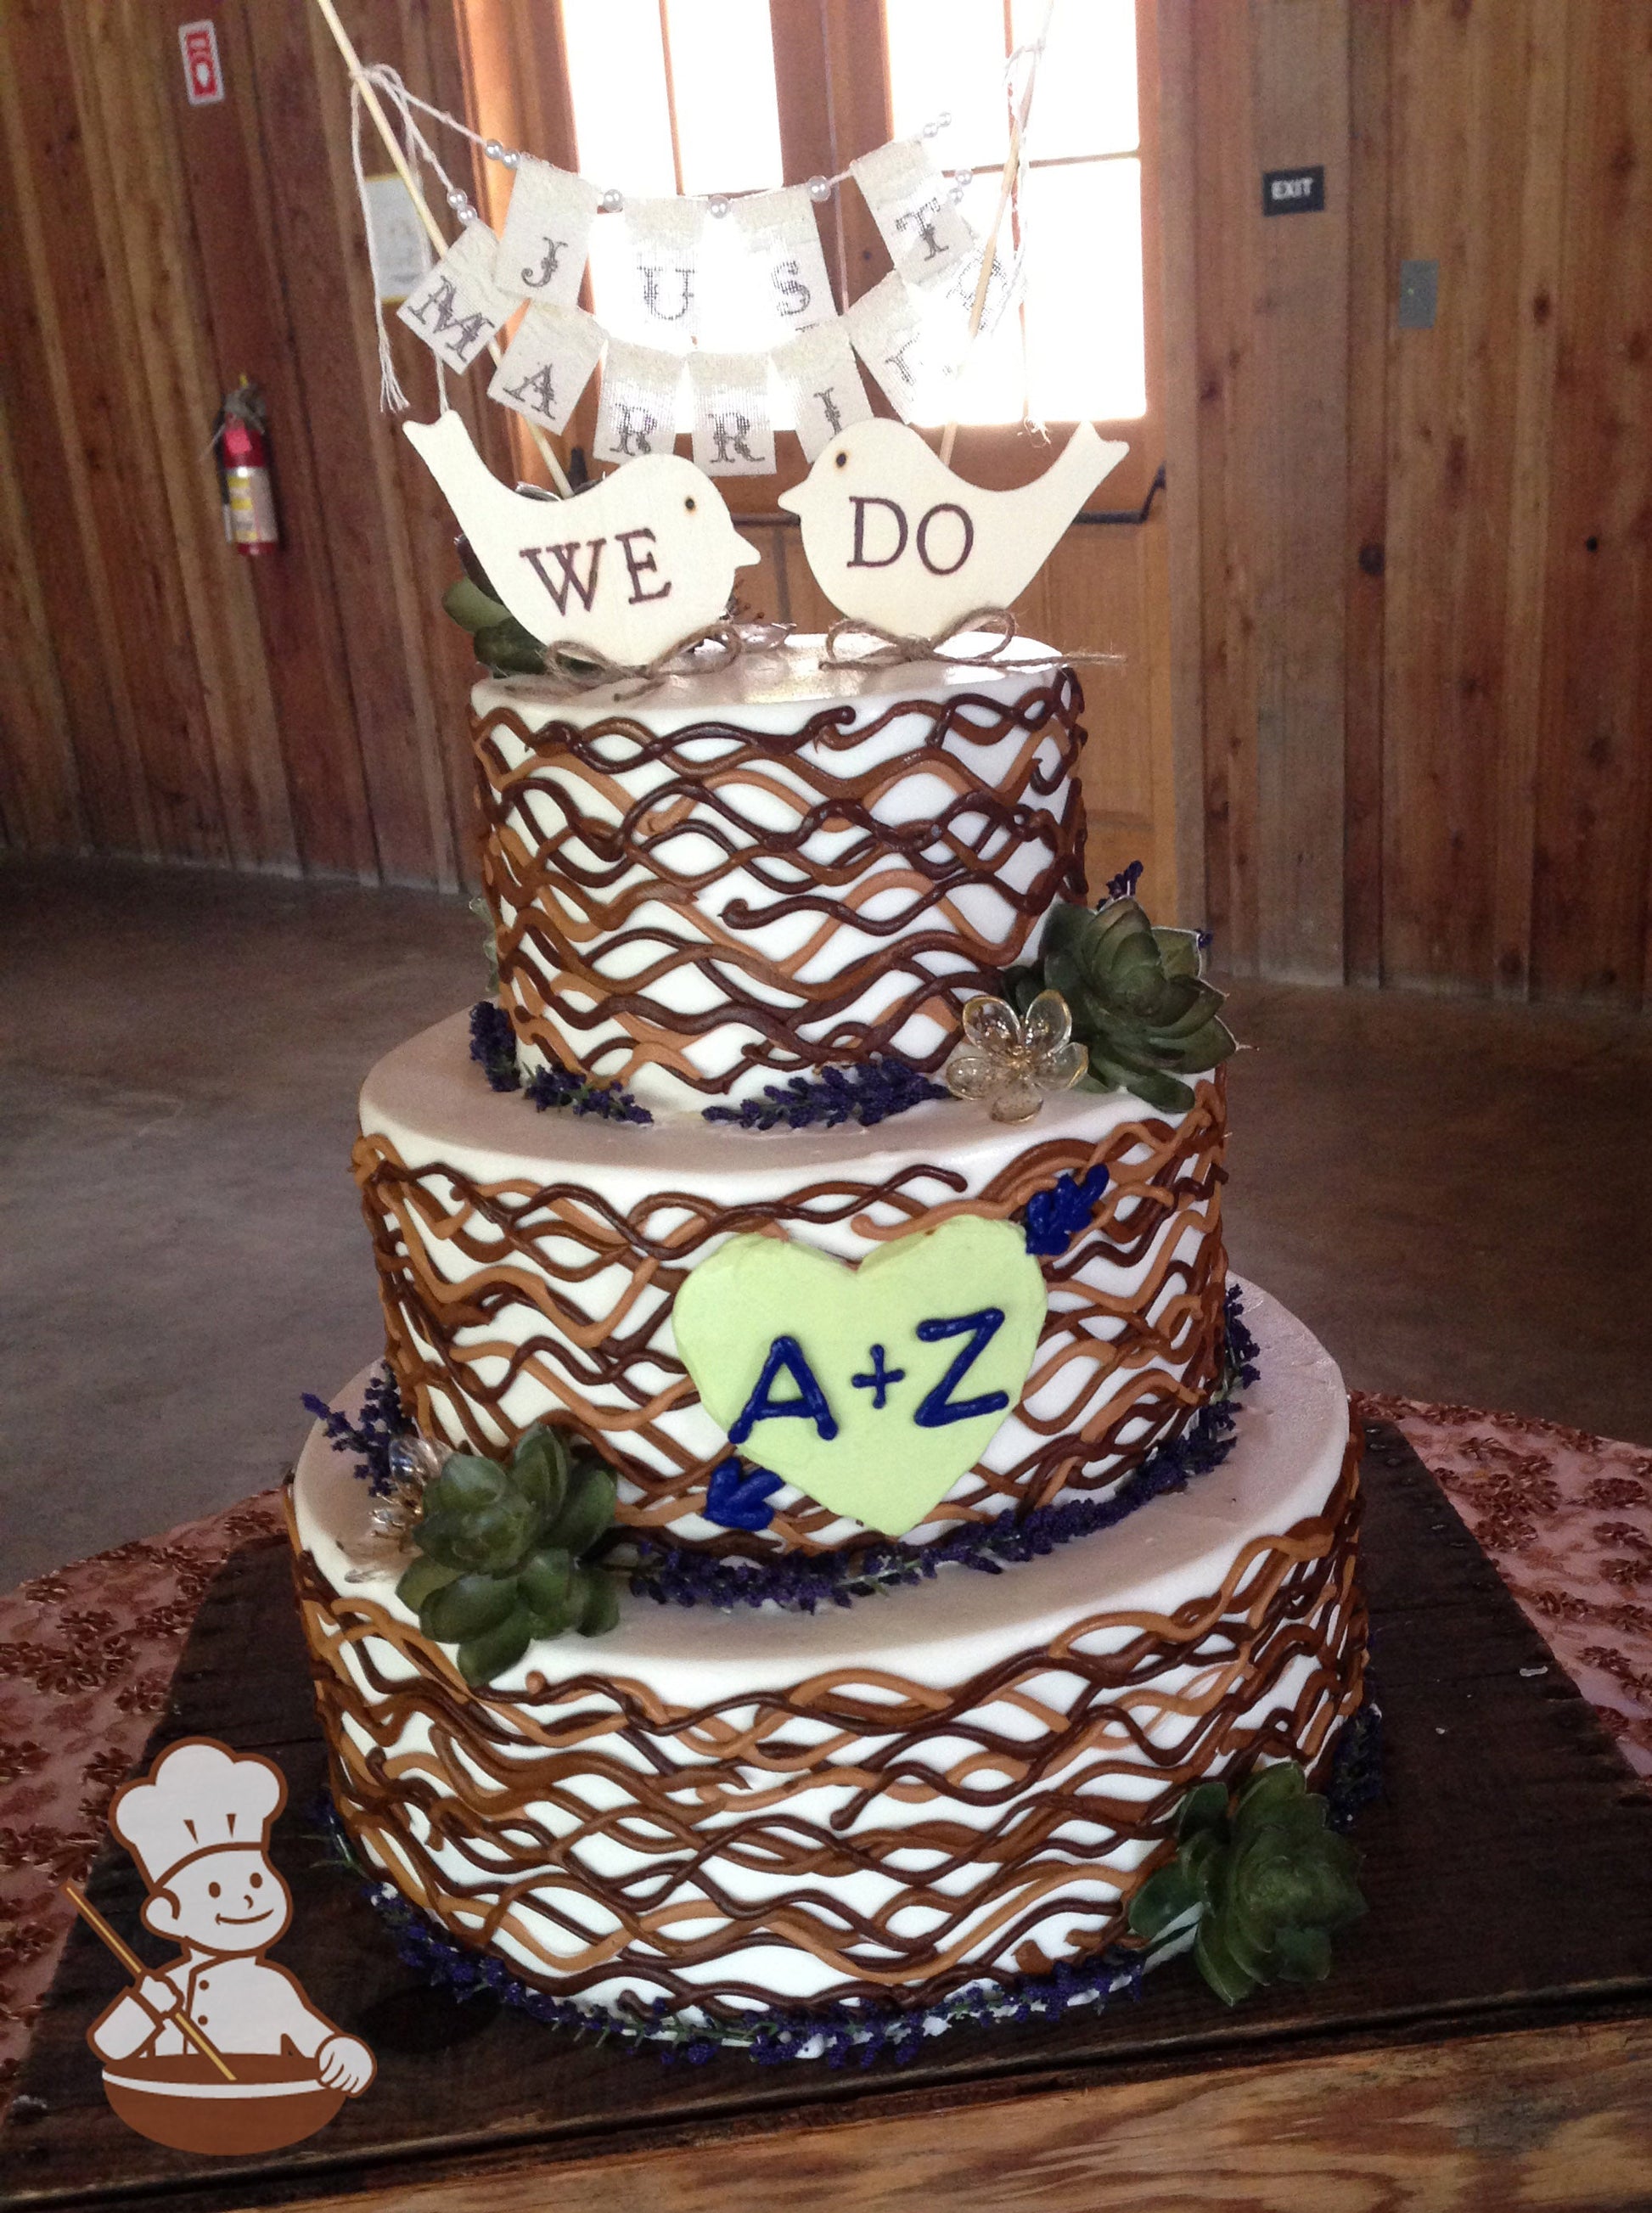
{"points": [[871, 1389]]}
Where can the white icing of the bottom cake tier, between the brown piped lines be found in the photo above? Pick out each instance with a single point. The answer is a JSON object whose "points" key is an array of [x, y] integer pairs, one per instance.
{"points": [[1175, 1550]]}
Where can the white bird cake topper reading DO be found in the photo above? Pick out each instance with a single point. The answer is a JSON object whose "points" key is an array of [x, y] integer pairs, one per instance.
{"points": [[896, 539]]}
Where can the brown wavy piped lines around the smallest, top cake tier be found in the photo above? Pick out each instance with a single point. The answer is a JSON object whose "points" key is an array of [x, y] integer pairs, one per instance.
{"points": [[561, 946]]}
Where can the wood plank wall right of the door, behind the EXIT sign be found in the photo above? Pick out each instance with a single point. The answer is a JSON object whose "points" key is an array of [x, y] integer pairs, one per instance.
{"points": [[1416, 623]]}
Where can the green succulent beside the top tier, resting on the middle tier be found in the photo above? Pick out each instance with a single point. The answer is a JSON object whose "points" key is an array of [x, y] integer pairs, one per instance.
{"points": [[1137, 997]]}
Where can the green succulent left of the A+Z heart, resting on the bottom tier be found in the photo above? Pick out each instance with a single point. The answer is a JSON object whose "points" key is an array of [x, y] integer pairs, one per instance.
{"points": [[506, 1552]]}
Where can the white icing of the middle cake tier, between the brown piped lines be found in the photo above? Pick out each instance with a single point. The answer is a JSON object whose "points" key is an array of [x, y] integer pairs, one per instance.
{"points": [[435, 1108]]}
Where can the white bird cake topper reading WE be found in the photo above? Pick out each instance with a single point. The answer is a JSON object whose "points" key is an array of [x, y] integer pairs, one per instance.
{"points": [[628, 568]]}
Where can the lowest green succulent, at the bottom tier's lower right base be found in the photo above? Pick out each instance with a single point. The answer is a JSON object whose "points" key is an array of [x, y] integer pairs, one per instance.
{"points": [[1270, 1882]]}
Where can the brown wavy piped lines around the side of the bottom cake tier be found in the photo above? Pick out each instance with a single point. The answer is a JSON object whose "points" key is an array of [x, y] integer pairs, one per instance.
{"points": [[1283, 1603]]}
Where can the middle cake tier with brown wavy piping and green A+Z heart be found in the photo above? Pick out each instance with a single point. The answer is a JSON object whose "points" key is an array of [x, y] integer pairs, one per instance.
{"points": [[1053, 1291]]}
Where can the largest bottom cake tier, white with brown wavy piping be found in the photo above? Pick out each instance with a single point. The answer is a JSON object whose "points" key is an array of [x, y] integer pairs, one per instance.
{"points": [[938, 1789]]}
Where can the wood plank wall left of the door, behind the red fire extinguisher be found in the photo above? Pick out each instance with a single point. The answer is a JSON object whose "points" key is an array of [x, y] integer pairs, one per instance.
{"points": [[163, 696]]}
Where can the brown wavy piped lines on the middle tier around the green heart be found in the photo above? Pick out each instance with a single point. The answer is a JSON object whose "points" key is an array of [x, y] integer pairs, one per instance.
{"points": [[612, 1378]]}
